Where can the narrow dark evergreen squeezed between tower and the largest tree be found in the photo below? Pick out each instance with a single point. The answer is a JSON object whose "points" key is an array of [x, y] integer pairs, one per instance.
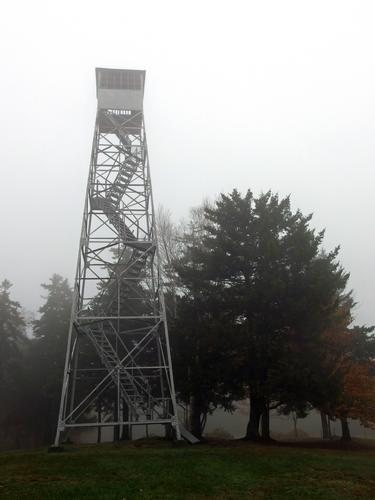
{"points": [[204, 348]]}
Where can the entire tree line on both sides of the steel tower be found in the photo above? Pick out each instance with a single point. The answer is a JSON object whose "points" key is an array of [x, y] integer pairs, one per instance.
{"points": [[257, 309]]}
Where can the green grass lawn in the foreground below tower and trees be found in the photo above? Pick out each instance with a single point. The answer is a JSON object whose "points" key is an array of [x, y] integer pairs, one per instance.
{"points": [[161, 471]]}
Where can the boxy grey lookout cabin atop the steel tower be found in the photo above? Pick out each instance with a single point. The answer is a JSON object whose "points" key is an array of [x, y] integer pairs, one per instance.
{"points": [[120, 89]]}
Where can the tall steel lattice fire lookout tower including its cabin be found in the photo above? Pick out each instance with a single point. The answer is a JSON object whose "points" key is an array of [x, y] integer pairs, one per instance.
{"points": [[118, 348]]}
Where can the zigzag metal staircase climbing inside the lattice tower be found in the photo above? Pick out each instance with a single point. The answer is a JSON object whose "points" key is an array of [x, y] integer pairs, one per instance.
{"points": [[134, 390]]}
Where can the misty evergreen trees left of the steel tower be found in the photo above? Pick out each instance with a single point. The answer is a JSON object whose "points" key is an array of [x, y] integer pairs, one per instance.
{"points": [[31, 366]]}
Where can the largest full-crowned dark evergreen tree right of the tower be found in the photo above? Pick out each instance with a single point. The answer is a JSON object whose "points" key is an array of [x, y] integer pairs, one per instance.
{"points": [[261, 272]]}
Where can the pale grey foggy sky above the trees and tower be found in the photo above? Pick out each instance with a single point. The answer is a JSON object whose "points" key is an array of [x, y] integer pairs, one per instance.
{"points": [[259, 94]]}
